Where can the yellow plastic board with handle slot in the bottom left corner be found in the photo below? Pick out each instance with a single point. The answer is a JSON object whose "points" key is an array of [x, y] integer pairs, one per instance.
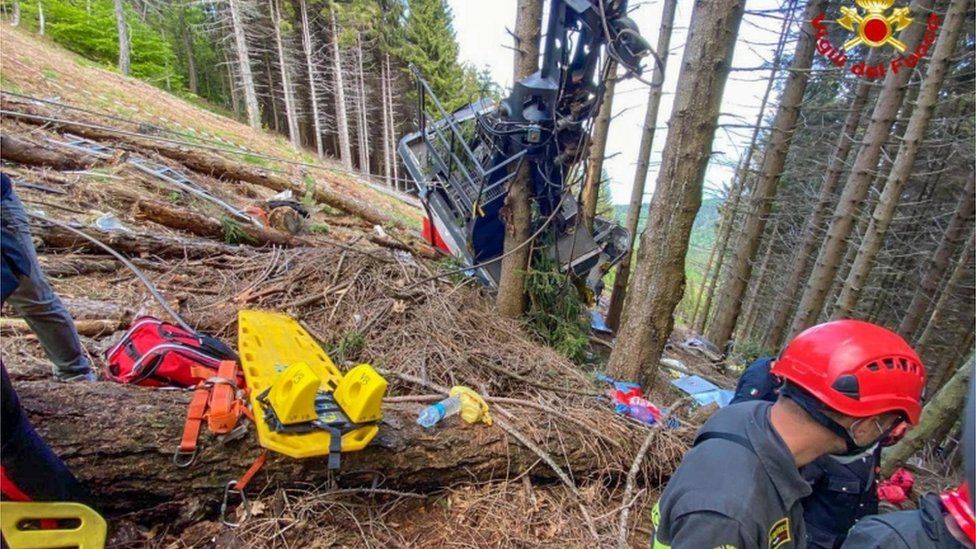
{"points": [[88, 530]]}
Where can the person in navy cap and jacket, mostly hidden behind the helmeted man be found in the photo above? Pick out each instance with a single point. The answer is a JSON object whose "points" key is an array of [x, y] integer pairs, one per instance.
{"points": [[845, 490]]}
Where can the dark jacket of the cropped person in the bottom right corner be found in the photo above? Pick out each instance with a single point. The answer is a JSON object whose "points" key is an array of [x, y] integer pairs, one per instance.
{"points": [[924, 528]]}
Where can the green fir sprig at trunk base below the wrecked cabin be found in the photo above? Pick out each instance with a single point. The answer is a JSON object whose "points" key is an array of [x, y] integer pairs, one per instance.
{"points": [[556, 313]]}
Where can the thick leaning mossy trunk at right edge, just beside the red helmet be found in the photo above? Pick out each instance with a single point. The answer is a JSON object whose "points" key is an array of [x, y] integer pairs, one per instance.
{"points": [[942, 410]]}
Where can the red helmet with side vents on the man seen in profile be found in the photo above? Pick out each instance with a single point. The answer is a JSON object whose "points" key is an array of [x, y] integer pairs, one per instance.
{"points": [[856, 368]]}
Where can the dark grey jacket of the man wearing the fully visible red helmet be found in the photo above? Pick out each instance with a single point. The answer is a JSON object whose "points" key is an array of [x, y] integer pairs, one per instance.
{"points": [[738, 487]]}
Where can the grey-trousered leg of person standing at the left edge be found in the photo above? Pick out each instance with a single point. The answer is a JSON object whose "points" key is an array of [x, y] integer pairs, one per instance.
{"points": [[40, 307]]}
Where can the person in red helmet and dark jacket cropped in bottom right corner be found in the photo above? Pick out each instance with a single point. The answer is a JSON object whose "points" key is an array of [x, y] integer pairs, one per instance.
{"points": [[943, 521]]}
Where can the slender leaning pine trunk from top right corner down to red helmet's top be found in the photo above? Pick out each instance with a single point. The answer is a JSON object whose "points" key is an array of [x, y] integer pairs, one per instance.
{"points": [[901, 169]]}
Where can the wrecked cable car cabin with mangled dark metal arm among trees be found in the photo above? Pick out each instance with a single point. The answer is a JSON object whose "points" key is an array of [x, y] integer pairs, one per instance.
{"points": [[463, 162]]}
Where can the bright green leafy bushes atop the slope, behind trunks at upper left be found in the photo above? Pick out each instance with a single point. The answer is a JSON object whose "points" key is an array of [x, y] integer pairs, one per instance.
{"points": [[92, 33]]}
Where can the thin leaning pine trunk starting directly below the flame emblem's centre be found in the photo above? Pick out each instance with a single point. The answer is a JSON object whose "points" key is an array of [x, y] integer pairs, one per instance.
{"points": [[811, 230]]}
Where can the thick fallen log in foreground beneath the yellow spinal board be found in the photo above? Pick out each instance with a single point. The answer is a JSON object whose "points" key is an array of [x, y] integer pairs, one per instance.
{"points": [[120, 440]]}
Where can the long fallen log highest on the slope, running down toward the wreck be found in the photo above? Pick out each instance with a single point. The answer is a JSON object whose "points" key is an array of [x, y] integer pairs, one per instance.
{"points": [[203, 162]]}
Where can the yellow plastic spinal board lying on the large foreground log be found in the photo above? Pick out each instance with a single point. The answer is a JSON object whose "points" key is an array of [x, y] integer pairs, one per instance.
{"points": [[269, 343]]}
